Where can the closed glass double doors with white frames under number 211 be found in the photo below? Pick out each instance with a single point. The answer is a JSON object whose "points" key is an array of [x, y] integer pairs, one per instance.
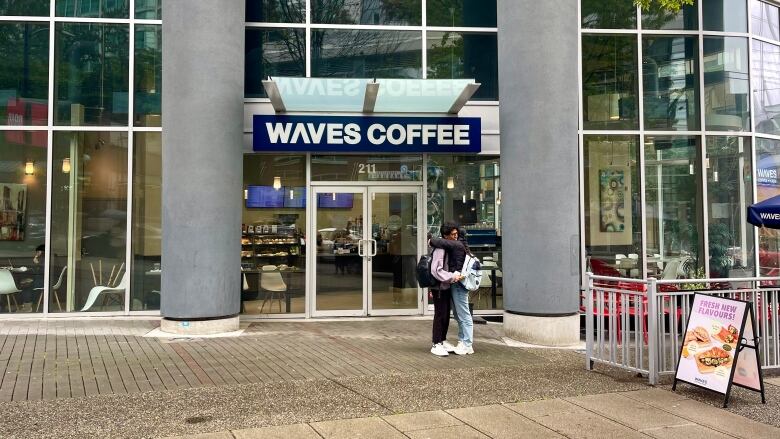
{"points": [[367, 245]]}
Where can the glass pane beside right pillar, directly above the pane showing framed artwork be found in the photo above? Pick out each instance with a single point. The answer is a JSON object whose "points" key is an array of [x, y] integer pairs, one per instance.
{"points": [[609, 82]]}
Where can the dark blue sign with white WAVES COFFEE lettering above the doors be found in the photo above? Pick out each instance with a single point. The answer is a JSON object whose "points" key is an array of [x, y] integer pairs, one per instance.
{"points": [[367, 134]]}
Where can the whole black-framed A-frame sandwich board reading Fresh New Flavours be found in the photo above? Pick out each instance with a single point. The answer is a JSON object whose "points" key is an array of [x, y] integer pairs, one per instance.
{"points": [[720, 347]]}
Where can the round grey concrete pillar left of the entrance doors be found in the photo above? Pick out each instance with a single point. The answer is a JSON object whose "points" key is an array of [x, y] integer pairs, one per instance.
{"points": [[203, 89]]}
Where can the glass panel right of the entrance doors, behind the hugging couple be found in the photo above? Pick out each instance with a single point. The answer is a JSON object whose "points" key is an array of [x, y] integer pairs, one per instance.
{"points": [[466, 189]]}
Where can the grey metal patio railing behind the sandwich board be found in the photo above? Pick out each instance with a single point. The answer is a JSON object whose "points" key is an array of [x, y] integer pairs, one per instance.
{"points": [[639, 324]]}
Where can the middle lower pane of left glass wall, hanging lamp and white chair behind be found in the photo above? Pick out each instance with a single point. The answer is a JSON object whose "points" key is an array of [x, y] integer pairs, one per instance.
{"points": [[89, 222]]}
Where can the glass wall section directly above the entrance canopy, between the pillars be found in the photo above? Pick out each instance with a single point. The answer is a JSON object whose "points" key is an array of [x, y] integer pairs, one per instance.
{"points": [[459, 40]]}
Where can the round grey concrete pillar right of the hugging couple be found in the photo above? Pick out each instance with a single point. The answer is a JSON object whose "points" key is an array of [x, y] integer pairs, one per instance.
{"points": [[537, 52]]}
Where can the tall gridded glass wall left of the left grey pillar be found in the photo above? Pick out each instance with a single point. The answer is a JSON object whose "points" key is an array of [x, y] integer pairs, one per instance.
{"points": [[86, 257]]}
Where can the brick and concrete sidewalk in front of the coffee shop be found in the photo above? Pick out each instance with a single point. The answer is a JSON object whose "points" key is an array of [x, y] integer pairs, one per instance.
{"points": [[107, 378]]}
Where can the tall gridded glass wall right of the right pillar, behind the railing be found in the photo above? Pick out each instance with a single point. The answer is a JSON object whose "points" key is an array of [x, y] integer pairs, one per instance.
{"points": [[671, 169]]}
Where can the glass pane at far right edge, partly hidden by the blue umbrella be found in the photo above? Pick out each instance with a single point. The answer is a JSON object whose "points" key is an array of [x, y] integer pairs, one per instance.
{"points": [[768, 186]]}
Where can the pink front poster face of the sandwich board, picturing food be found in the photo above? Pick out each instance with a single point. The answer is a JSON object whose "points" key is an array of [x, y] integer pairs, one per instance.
{"points": [[710, 344]]}
